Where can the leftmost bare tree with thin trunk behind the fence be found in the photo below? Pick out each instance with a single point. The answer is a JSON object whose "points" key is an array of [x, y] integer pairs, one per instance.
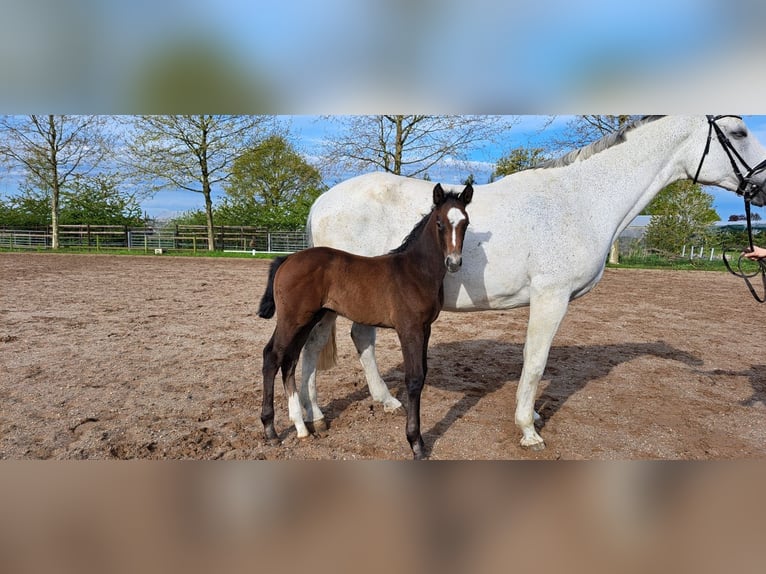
{"points": [[53, 149]]}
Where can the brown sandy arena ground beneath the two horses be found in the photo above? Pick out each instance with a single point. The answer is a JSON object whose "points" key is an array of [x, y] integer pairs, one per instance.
{"points": [[159, 358]]}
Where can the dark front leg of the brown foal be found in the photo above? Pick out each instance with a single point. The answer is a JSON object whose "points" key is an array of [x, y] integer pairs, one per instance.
{"points": [[414, 344]]}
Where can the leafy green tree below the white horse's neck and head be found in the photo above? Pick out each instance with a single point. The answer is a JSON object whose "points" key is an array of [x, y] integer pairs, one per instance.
{"points": [[682, 213]]}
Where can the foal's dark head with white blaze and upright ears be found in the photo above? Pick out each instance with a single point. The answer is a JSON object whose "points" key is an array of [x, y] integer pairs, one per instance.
{"points": [[451, 223]]}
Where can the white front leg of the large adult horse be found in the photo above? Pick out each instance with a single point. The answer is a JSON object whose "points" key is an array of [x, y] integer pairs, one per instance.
{"points": [[546, 310]]}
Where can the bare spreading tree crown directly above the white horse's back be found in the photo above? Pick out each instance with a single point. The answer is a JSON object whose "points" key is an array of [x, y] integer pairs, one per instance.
{"points": [[408, 145]]}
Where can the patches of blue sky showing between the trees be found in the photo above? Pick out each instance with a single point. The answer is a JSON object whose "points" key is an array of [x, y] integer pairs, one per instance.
{"points": [[307, 133]]}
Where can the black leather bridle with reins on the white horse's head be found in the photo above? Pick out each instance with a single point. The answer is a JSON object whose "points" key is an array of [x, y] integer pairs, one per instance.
{"points": [[747, 189]]}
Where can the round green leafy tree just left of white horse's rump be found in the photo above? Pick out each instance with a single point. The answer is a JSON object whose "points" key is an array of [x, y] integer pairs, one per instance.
{"points": [[272, 184]]}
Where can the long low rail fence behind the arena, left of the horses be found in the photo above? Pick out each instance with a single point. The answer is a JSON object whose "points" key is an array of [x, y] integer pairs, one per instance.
{"points": [[177, 237]]}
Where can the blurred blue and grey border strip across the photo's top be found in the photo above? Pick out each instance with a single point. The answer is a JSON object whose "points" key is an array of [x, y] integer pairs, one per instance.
{"points": [[343, 56]]}
